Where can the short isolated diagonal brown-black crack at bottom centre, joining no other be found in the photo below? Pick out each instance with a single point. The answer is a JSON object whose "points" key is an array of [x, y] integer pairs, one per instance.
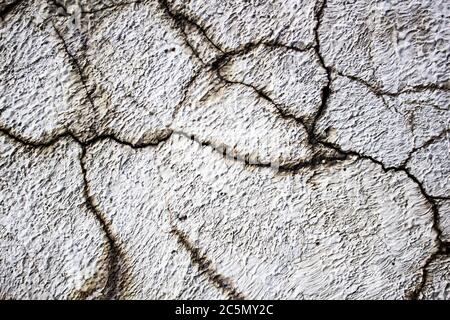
{"points": [[205, 265]]}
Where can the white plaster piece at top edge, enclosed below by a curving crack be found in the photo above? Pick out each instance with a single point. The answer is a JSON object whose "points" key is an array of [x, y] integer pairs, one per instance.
{"points": [[233, 24]]}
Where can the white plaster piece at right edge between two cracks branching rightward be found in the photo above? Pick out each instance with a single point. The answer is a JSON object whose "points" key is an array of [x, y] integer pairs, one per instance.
{"points": [[387, 128]]}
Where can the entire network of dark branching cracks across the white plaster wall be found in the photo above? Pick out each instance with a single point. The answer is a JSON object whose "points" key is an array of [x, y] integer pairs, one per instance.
{"points": [[114, 286]]}
